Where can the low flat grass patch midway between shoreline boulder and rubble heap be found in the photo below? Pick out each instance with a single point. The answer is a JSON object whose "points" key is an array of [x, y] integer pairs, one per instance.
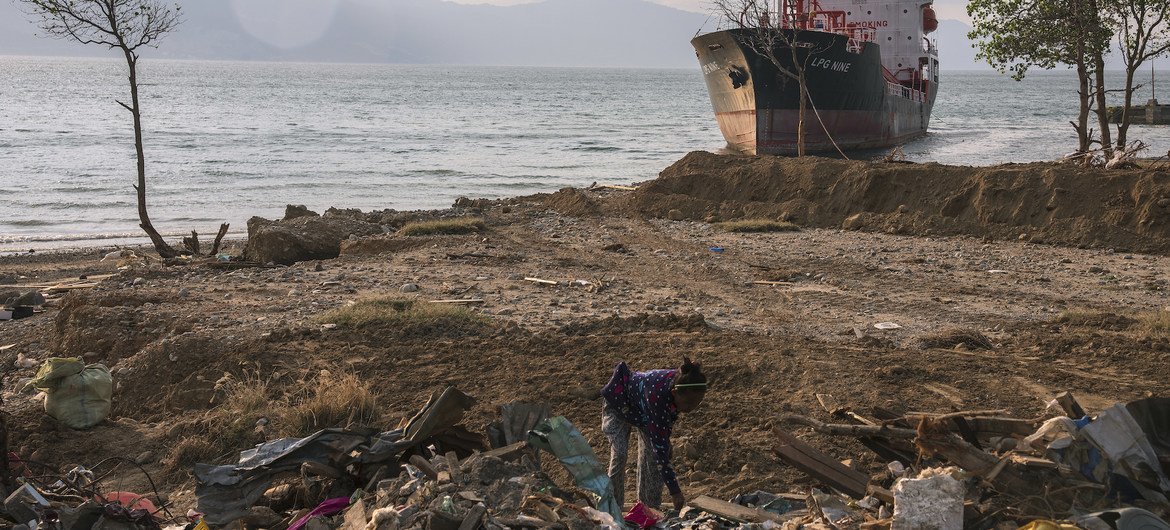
{"points": [[391, 312]]}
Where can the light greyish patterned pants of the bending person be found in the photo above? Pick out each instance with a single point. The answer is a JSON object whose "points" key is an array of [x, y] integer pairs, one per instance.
{"points": [[650, 477]]}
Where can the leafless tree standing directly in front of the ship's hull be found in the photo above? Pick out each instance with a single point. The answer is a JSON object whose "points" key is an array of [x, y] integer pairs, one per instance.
{"points": [[770, 35]]}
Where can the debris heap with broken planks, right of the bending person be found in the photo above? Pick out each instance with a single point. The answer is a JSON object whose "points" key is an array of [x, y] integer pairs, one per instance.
{"points": [[1017, 471]]}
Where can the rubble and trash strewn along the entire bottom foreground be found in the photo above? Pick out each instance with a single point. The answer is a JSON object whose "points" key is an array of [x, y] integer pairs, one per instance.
{"points": [[976, 470]]}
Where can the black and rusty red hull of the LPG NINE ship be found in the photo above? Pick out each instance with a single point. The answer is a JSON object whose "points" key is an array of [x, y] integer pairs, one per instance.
{"points": [[854, 101]]}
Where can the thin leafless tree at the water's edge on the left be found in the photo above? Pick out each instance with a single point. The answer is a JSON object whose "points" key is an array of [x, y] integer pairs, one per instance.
{"points": [[125, 26]]}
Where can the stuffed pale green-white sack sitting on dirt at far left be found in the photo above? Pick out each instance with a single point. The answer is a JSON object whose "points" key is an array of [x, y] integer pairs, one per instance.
{"points": [[78, 396]]}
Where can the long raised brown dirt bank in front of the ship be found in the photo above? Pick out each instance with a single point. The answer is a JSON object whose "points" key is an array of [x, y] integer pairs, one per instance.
{"points": [[1042, 202]]}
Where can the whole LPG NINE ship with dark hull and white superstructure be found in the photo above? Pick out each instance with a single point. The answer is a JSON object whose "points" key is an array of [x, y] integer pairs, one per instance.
{"points": [[871, 70]]}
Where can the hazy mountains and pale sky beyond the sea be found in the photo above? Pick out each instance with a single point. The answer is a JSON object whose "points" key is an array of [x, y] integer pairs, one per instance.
{"points": [[568, 33]]}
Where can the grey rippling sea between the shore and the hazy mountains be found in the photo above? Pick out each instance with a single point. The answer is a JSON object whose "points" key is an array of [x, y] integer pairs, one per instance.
{"points": [[228, 141]]}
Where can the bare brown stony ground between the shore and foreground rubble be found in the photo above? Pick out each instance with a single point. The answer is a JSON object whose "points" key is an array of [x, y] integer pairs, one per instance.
{"points": [[1061, 320]]}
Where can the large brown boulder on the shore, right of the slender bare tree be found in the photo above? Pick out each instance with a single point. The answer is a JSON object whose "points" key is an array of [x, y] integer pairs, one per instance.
{"points": [[304, 238]]}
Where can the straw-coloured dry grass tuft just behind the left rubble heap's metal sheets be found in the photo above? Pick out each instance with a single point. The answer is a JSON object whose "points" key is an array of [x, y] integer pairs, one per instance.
{"points": [[334, 401]]}
